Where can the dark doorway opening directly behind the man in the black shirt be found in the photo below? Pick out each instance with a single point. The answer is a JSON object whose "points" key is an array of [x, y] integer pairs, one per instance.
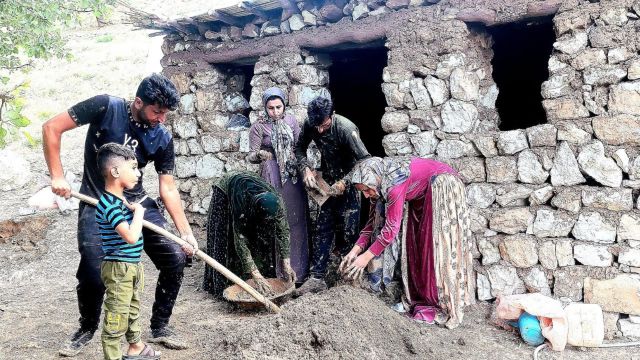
{"points": [[355, 82]]}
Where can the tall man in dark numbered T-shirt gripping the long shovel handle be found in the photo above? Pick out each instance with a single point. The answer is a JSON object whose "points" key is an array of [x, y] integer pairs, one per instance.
{"points": [[138, 125]]}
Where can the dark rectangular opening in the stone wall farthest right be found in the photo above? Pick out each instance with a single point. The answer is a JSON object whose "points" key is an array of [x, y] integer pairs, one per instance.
{"points": [[521, 51]]}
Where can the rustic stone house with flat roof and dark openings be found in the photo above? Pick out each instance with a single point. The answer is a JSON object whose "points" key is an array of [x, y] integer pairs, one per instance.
{"points": [[536, 103]]}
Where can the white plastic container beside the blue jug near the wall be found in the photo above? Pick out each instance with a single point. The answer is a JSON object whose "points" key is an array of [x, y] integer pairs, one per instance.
{"points": [[586, 325]]}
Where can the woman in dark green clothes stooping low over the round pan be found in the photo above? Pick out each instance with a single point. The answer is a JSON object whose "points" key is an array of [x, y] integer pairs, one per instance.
{"points": [[247, 232]]}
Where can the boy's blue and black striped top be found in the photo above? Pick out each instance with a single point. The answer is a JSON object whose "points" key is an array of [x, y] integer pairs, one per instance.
{"points": [[110, 212]]}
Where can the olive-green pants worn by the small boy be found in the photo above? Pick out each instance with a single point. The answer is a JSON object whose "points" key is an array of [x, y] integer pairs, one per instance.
{"points": [[124, 283]]}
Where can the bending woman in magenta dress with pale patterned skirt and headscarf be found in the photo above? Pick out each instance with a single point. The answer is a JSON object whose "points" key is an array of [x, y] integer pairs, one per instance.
{"points": [[436, 243]]}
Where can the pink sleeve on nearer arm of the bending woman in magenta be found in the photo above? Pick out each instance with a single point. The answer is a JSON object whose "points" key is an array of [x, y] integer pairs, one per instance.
{"points": [[393, 219]]}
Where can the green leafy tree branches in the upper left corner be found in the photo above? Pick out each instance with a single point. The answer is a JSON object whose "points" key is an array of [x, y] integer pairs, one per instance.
{"points": [[32, 29]]}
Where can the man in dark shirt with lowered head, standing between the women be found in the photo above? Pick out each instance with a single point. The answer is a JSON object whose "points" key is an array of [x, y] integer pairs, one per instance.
{"points": [[340, 146]]}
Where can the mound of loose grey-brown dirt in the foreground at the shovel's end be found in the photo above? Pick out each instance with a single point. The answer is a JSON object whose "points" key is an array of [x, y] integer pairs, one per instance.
{"points": [[343, 322]]}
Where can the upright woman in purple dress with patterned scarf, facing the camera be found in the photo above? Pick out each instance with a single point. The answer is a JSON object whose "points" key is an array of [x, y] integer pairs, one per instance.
{"points": [[272, 141]]}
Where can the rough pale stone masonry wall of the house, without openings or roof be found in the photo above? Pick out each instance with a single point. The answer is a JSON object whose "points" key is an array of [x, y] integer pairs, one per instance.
{"points": [[555, 207]]}
